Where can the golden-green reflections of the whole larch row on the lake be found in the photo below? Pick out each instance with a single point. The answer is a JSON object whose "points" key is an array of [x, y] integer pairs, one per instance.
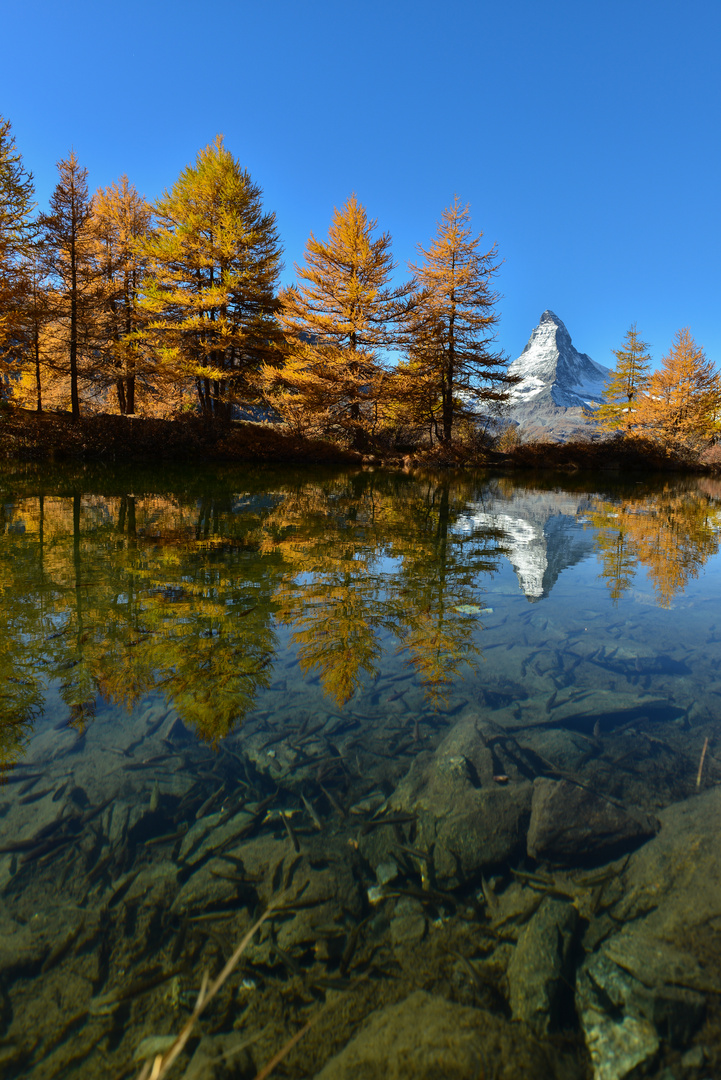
{"points": [[116, 596]]}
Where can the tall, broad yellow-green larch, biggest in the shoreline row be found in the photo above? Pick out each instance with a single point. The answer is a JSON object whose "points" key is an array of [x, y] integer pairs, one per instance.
{"points": [[213, 259]]}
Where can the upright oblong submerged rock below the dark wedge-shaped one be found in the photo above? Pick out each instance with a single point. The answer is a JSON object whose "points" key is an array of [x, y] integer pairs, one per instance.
{"points": [[539, 974]]}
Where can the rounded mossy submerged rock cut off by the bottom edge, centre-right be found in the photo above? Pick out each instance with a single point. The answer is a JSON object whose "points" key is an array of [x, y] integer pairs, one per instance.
{"points": [[427, 1036]]}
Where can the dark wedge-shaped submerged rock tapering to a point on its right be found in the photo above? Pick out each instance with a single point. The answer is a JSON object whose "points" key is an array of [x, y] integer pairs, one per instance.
{"points": [[569, 822]]}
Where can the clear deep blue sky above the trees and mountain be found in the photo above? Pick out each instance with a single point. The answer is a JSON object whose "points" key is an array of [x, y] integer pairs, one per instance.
{"points": [[586, 137]]}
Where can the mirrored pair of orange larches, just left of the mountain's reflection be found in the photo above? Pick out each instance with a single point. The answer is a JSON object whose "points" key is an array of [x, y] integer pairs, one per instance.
{"points": [[377, 556]]}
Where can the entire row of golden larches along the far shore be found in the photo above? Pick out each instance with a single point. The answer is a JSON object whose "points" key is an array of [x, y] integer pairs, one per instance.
{"points": [[135, 329]]}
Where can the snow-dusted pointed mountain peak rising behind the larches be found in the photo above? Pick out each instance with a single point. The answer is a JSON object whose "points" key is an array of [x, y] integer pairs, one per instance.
{"points": [[560, 388]]}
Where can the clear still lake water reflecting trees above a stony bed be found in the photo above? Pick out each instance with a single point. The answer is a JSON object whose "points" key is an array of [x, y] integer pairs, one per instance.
{"points": [[223, 690]]}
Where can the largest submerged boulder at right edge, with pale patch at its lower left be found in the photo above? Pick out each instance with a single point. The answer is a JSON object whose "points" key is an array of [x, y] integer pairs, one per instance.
{"points": [[641, 987]]}
